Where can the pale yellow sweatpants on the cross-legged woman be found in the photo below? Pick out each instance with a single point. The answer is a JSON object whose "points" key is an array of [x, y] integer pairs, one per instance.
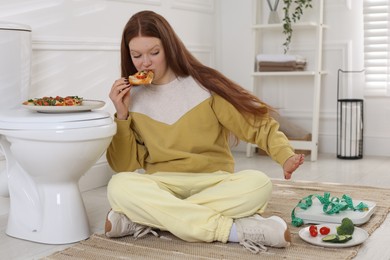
{"points": [[193, 206]]}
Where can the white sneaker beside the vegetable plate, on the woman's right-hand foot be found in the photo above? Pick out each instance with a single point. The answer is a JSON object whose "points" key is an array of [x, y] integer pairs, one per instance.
{"points": [[256, 232]]}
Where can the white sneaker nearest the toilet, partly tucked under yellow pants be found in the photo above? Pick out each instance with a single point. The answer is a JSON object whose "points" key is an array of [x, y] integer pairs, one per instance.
{"points": [[118, 225]]}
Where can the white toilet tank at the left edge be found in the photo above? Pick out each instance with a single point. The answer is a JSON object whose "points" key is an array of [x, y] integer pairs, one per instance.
{"points": [[15, 64]]}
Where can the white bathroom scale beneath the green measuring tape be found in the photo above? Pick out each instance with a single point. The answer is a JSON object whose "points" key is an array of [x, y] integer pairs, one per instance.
{"points": [[316, 215]]}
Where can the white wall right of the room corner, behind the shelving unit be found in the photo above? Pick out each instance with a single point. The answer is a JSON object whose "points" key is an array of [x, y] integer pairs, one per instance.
{"points": [[343, 49]]}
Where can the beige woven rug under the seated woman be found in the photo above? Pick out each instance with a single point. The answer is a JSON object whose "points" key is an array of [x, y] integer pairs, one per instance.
{"points": [[285, 197]]}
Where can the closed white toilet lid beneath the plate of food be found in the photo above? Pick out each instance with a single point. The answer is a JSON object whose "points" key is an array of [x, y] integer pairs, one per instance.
{"points": [[22, 119]]}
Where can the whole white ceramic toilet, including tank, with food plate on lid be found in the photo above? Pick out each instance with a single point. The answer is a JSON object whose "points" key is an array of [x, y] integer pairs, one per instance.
{"points": [[45, 153]]}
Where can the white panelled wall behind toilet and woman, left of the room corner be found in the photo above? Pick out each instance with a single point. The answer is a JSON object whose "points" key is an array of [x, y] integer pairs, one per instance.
{"points": [[76, 46]]}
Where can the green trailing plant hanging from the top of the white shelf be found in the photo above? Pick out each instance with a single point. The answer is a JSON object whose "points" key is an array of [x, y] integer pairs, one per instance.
{"points": [[293, 10]]}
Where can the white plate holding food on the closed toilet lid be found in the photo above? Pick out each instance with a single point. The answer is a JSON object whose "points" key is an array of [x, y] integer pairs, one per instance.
{"points": [[87, 105]]}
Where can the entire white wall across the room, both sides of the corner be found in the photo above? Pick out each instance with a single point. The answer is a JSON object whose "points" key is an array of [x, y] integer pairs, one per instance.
{"points": [[76, 51]]}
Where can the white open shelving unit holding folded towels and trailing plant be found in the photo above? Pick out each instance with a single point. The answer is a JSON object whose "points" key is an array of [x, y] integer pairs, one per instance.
{"points": [[314, 27]]}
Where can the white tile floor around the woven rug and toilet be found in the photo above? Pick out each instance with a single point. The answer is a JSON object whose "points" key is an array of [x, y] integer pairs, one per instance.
{"points": [[371, 171]]}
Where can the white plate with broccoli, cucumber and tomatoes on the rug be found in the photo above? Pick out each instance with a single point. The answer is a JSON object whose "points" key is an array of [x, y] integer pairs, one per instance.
{"points": [[358, 236]]}
